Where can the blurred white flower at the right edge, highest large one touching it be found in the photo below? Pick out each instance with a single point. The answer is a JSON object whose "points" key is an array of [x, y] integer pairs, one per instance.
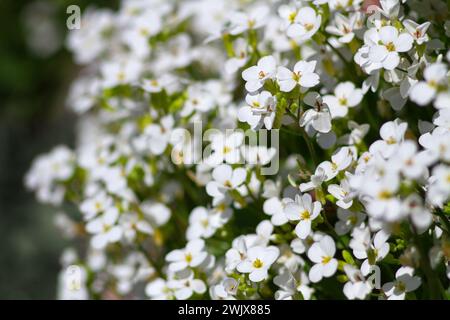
{"points": [[424, 92]]}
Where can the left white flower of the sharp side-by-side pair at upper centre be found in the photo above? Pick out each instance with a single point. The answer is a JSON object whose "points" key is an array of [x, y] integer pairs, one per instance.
{"points": [[256, 76]]}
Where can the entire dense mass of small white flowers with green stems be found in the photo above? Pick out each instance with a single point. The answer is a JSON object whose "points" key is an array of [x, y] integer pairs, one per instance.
{"points": [[358, 93]]}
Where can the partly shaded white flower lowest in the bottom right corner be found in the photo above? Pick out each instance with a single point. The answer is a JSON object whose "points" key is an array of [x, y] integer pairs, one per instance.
{"points": [[404, 282]]}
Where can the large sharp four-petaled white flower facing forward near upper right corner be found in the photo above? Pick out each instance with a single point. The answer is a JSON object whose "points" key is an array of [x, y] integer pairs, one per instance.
{"points": [[385, 46]]}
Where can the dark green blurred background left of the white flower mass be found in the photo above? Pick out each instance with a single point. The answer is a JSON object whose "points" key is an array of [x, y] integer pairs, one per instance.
{"points": [[35, 74]]}
